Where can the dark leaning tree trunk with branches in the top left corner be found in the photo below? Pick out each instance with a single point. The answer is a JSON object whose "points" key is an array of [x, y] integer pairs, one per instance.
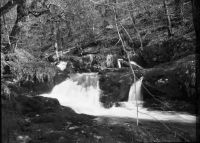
{"points": [[24, 8]]}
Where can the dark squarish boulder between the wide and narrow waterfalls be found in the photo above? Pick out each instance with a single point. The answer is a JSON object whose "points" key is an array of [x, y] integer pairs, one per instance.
{"points": [[115, 85]]}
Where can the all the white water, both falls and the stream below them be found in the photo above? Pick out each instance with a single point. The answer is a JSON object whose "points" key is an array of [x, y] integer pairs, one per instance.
{"points": [[81, 92]]}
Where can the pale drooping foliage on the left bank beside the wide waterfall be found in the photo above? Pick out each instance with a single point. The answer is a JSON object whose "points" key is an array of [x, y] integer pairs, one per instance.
{"points": [[24, 67]]}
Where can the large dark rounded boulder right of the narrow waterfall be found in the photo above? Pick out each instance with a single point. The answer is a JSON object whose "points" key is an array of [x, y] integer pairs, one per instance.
{"points": [[174, 82]]}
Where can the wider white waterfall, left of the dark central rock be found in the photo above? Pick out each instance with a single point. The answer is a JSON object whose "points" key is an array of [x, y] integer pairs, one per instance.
{"points": [[80, 92]]}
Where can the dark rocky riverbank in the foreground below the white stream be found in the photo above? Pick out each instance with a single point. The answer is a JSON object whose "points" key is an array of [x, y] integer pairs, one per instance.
{"points": [[38, 119]]}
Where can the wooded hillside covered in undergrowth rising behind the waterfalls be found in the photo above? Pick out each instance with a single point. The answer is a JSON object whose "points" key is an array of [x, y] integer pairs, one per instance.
{"points": [[80, 24]]}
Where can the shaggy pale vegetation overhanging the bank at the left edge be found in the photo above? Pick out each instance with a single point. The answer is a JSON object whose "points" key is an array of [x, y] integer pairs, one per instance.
{"points": [[20, 67]]}
